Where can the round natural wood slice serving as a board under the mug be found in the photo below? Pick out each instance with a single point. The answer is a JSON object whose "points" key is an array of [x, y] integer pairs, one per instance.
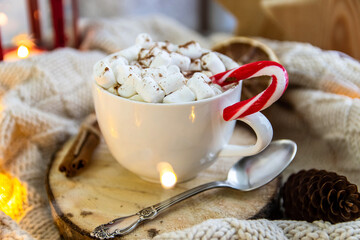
{"points": [[105, 190]]}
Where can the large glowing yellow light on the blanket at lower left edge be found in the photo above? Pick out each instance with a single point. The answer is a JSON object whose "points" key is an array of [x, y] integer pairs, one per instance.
{"points": [[12, 196]]}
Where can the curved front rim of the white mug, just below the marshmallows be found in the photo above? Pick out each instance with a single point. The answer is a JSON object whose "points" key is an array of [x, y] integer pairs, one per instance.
{"points": [[225, 93]]}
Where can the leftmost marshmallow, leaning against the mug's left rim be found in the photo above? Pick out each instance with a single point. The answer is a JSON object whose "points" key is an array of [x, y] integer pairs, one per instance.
{"points": [[103, 74]]}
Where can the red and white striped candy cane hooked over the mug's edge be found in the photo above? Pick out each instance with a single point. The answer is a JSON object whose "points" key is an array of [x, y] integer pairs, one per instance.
{"points": [[272, 93]]}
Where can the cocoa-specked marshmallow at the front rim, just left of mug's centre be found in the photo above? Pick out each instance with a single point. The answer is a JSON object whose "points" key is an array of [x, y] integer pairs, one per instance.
{"points": [[149, 90]]}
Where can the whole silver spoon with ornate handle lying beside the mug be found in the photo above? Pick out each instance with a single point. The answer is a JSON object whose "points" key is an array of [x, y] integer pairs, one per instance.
{"points": [[247, 174]]}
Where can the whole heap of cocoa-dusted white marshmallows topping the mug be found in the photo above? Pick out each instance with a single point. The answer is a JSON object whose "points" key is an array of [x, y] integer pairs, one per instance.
{"points": [[162, 72]]}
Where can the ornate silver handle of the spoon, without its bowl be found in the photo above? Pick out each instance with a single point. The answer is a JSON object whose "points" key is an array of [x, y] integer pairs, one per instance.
{"points": [[124, 225]]}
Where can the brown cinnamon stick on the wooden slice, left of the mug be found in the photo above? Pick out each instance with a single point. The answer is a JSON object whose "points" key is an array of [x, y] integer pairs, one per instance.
{"points": [[81, 150]]}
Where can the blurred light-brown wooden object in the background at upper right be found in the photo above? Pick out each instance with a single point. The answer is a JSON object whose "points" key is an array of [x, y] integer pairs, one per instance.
{"points": [[328, 24]]}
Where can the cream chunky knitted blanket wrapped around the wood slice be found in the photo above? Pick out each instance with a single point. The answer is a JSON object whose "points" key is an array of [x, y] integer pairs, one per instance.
{"points": [[44, 99]]}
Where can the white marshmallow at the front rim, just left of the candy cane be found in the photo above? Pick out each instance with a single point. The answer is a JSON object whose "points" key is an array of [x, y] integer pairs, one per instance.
{"points": [[200, 87]]}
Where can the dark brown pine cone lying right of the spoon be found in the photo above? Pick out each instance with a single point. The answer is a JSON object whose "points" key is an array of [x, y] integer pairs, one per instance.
{"points": [[320, 195]]}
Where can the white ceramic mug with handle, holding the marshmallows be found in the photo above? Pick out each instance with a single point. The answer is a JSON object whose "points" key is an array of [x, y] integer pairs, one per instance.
{"points": [[188, 136]]}
